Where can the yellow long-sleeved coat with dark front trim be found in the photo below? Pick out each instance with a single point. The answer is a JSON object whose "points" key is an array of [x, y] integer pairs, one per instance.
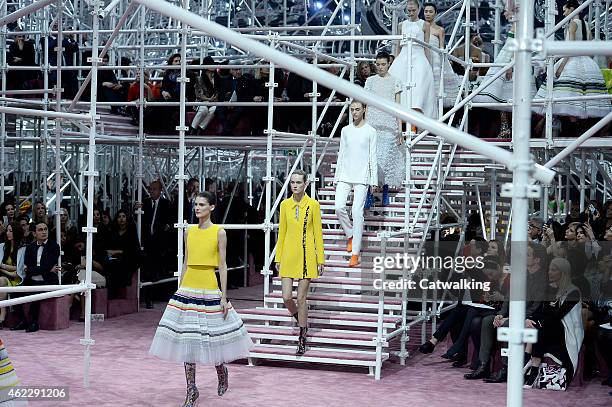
{"points": [[299, 249]]}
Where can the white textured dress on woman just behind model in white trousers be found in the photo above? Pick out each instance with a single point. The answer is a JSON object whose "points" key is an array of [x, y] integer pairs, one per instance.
{"points": [[391, 157]]}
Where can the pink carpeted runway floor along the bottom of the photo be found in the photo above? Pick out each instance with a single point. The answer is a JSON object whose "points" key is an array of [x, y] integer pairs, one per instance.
{"points": [[123, 374]]}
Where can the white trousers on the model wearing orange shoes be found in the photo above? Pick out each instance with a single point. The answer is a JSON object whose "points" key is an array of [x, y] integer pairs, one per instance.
{"points": [[354, 229]]}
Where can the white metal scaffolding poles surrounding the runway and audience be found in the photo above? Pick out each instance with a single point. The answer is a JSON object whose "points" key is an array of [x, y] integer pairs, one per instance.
{"points": [[146, 30]]}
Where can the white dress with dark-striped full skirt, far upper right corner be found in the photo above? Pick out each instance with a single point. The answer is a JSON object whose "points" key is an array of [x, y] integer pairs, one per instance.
{"points": [[580, 77]]}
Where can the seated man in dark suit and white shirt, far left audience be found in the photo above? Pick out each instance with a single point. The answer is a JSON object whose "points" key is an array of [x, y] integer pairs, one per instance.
{"points": [[40, 261]]}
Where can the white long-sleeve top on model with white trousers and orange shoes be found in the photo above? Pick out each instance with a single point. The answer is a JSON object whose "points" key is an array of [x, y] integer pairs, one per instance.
{"points": [[357, 162]]}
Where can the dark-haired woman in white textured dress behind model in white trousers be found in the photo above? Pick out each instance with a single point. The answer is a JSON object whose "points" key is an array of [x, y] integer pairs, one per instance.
{"points": [[391, 154]]}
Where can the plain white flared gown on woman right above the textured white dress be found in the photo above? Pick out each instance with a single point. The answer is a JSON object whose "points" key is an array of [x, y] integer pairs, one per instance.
{"points": [[422, 75]]}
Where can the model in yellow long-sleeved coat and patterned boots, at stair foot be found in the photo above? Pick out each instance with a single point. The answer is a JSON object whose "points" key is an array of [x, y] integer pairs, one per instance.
{"points": [[299, 250]]}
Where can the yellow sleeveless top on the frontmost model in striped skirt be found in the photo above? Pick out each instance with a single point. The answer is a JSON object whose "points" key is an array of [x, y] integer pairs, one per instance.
{"points": [[203, 246]]}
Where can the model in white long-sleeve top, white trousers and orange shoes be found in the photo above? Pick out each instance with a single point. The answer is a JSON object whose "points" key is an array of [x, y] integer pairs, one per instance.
{"points": [[356, 169]]}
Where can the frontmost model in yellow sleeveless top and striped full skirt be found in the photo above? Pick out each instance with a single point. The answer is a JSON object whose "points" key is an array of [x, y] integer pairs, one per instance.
{"points": [[199, 324]]}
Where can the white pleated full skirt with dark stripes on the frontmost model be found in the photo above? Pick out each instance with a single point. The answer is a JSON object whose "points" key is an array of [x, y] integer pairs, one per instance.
{"points": [[193, 329]]}
